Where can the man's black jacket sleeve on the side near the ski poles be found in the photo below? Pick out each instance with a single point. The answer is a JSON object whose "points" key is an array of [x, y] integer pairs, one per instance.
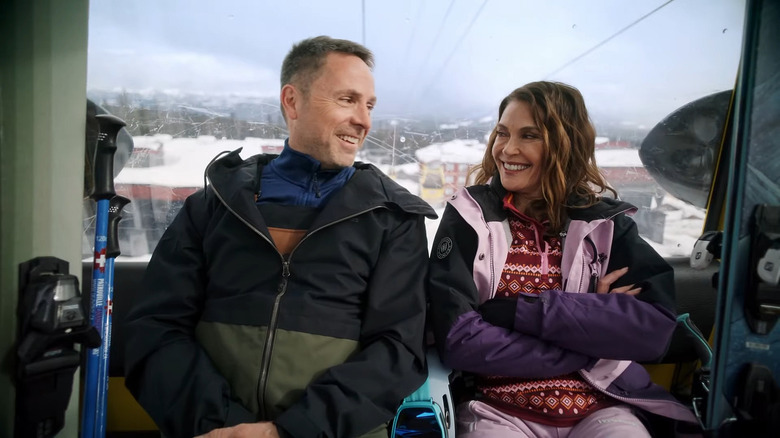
{"points": [[166, 369]]}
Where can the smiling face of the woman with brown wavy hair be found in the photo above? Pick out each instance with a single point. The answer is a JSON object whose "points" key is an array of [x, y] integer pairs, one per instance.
{"points": [[519, 151]]}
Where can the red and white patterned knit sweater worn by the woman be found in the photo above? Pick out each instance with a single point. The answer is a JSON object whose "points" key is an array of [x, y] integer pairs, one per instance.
{"points": [[533, 265]]}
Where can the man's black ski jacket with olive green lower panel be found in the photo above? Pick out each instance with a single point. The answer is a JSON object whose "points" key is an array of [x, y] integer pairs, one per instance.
{"points": [[325, 342]]}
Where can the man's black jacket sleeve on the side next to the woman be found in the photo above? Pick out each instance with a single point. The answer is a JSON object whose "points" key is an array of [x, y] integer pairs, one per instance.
{"points": [[352, 398]]}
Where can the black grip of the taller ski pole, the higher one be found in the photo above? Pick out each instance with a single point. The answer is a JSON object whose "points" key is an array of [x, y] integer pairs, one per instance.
{"points": [[109, 127]]}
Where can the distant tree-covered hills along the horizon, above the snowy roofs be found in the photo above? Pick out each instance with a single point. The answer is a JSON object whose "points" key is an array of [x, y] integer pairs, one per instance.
{"points": [[392, 137]]}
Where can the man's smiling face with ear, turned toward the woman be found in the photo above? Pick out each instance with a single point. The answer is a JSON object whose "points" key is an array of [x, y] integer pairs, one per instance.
{"points": [[332, 120]]}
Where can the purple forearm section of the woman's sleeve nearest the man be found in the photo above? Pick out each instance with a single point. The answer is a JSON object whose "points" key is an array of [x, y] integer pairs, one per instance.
{"points": [[474, 345]]}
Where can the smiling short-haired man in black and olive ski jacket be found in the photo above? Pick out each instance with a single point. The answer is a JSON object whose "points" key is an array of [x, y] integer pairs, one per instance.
{"points": [[287, 297]]}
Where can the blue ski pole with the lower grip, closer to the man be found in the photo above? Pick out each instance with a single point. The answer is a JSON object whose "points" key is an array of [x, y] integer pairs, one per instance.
{"points": [[115, 206]]}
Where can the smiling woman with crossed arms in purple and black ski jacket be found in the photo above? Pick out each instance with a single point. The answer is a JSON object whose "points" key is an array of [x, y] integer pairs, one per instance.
{"points": [[543, 290]]}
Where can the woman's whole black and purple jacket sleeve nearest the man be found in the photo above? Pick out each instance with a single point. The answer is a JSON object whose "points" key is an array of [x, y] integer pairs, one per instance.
{"points": [[465, 341]]}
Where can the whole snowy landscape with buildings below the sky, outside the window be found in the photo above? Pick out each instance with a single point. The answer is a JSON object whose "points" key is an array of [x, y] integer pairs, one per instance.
{"points": [[175, 136]]}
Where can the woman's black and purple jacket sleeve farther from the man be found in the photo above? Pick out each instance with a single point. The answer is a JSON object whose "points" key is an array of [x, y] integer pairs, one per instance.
{"points": [[611, 326]]}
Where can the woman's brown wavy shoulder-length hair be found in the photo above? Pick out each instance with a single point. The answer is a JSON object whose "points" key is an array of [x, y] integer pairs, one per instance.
{"points": [[569, 164]]}
